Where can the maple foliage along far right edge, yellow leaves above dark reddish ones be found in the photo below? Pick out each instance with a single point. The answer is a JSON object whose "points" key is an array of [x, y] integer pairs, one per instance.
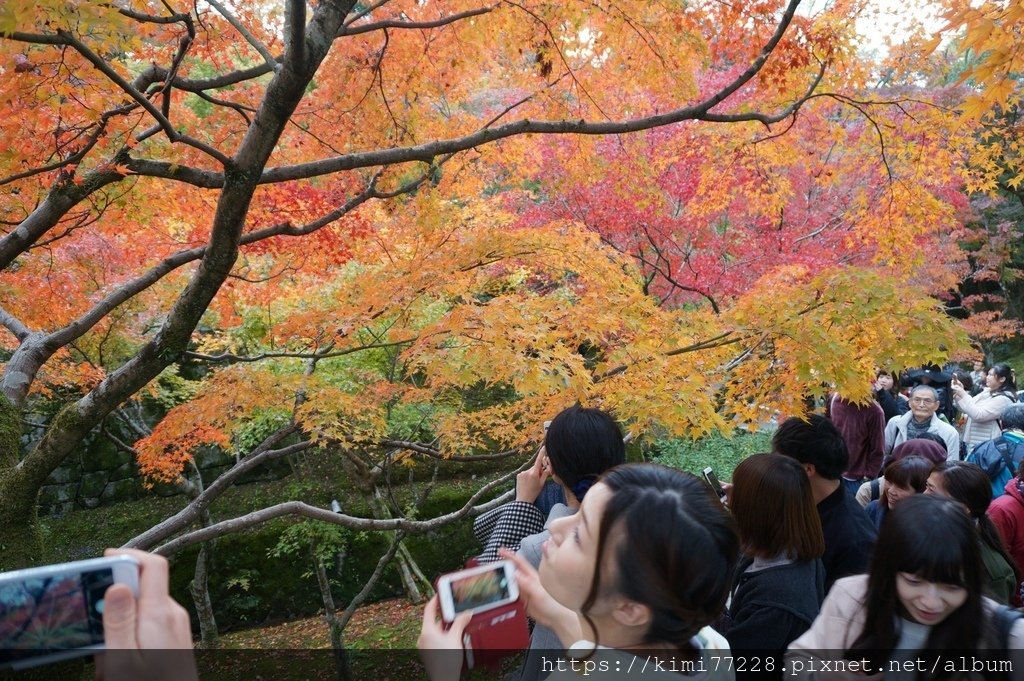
{"points": [[982, 51]]}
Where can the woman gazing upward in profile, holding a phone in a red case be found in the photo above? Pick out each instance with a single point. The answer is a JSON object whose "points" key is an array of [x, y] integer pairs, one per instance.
{"points": [[645, 566]]}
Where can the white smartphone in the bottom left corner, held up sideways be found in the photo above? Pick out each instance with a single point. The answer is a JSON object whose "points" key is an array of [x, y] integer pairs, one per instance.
{"points": [[56, 613]]}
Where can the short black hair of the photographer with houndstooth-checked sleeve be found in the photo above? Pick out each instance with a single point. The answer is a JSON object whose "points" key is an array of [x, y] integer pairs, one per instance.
{"points": [[582, 444]]}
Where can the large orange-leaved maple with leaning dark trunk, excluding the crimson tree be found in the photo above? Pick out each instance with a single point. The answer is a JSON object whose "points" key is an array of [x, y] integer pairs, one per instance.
{"points": [[330, 165]]}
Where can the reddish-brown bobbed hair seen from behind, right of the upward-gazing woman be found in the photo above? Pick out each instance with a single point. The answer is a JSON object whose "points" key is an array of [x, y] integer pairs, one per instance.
{"points": [[775, 509]]}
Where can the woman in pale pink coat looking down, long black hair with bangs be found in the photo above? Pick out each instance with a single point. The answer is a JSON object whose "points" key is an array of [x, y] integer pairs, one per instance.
{"points": [[922, 600]]}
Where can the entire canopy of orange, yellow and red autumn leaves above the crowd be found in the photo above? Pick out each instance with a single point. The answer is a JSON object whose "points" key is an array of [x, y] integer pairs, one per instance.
{"points": [[444, 223]]}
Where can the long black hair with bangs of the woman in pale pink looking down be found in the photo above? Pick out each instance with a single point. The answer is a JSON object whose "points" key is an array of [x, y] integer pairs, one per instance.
{"points": [[933, 539]]}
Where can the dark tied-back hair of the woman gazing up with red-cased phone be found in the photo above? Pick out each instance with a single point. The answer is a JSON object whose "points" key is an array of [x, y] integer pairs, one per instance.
{"points": [[674, 548]]}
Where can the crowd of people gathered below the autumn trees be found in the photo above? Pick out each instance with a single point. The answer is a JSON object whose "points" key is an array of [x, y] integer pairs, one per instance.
{"points": [[867, 541]]}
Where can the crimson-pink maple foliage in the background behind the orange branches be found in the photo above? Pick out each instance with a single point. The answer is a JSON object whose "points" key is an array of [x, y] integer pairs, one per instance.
{"points": [[723, 211]]}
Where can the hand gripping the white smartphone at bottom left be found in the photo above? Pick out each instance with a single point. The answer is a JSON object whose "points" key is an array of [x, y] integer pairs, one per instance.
{"points": [[154, 623]]}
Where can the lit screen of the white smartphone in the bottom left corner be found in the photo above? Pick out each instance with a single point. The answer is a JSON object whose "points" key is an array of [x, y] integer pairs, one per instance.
{"points": [[44, 615]]}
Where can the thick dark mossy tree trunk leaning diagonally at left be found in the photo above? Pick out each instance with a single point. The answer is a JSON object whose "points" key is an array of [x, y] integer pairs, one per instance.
{"points": [[20, 485]]}
